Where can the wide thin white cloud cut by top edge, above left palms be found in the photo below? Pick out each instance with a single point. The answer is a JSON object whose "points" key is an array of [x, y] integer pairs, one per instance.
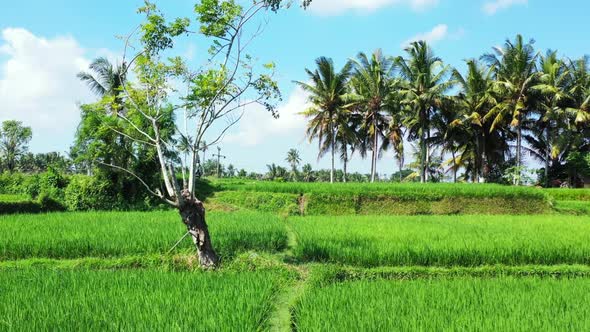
{"points": [[334, 7]]}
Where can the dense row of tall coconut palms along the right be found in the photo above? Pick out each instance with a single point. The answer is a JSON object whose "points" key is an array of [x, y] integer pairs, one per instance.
{"points": [[511, 102]]}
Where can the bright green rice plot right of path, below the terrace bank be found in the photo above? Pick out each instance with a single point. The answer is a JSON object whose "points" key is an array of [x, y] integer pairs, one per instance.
{"points": [[443, 240]]}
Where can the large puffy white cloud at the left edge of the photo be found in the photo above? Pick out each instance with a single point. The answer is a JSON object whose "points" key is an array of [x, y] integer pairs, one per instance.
{"points": [[38, 86]]}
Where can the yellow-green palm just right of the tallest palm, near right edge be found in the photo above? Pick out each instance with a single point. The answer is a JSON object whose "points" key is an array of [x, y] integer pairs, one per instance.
{"points": [[552, 86]]}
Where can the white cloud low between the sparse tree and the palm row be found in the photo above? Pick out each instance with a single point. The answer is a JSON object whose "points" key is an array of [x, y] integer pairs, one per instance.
{"points": [[258, 125]]}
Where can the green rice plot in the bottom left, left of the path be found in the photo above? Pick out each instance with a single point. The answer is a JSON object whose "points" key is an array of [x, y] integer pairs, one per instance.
{"points": [[45, 300]]}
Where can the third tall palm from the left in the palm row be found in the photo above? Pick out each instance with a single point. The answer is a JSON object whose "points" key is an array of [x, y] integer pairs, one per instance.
{"points": [[424, 83]]}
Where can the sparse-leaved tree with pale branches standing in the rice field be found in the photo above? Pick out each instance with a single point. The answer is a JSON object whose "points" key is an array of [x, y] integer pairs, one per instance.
{"points": [[212, 100]]}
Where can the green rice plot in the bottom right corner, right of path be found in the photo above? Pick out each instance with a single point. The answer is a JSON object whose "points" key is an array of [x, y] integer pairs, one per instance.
{"points": [[461, 304]]}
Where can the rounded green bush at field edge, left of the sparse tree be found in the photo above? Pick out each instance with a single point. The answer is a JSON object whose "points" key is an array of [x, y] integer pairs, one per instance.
{"points": [[85, 193]]}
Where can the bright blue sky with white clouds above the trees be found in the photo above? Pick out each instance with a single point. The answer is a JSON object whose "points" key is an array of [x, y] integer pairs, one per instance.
{"points": [[43, 44]]}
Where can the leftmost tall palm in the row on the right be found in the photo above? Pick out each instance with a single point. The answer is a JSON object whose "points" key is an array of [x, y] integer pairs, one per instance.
{"points": [[326, 95]]}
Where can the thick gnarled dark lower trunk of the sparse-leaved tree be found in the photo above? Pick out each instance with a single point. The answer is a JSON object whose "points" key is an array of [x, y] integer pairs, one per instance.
{"points": [[192, 213]]}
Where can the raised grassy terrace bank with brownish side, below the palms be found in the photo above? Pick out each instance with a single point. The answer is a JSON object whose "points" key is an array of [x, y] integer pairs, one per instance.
{"points": [[382, 198]]}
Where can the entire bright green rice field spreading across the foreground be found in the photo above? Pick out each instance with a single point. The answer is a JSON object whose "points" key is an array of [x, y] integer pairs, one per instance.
{"points": [[117, 271]]}
